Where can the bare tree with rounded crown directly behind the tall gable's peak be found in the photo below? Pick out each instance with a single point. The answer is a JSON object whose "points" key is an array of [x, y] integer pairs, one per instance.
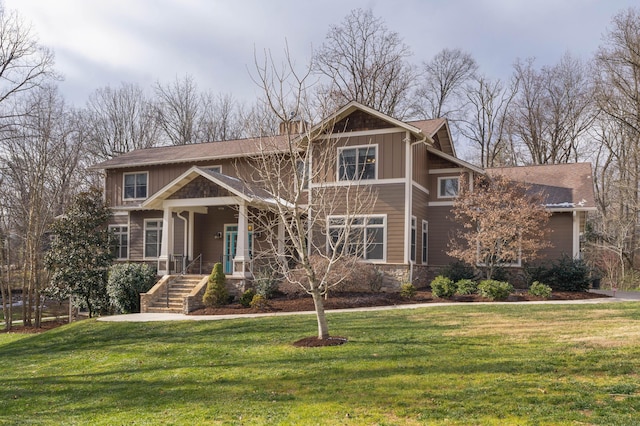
{"points": [[366, 62]]}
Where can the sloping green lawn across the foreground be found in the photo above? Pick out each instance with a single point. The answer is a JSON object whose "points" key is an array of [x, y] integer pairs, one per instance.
{"points": [[495, 364]]}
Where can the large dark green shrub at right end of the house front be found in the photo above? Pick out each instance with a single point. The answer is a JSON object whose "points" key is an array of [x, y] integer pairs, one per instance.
{"points": [[565, 274]]}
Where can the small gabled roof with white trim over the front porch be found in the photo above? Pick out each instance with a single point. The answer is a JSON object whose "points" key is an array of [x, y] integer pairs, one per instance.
{"points": [[237, 187]]}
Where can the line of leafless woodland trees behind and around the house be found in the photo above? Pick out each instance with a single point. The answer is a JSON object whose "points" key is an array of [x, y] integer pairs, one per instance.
{"points": [[573, 110]]}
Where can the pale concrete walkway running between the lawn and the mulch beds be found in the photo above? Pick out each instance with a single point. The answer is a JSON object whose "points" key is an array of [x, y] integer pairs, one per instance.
{"points": [[619, 297]]}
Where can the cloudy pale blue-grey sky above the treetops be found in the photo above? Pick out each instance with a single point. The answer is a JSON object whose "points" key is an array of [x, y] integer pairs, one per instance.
{"points": [[106, 42]]}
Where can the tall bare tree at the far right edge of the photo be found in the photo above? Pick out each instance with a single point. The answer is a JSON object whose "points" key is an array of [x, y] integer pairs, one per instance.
{"points": [[618, 132]]}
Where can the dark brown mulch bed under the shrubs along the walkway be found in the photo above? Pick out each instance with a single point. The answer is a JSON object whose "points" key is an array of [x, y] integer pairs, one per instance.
{"points": [[359, 300]]}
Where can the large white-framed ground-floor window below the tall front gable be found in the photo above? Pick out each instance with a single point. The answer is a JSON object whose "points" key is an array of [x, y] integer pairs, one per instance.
{"points": [[361, 236]]}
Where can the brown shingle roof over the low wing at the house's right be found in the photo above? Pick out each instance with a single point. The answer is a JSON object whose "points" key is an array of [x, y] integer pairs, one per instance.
{"points": [[566, 186]]}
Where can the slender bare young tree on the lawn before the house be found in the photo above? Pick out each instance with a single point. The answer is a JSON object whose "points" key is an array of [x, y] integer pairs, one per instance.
{"points": [[311, 223]]}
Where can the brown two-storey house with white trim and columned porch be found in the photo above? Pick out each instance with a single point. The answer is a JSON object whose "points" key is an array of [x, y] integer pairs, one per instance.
{"points": [[176, 204]]}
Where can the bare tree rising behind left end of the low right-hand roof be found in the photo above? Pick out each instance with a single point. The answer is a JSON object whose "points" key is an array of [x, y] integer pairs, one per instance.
{"points": [[486, 122]]}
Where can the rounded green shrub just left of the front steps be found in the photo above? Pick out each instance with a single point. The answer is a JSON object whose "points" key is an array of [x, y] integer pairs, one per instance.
{"points": [[125, 283]]}
